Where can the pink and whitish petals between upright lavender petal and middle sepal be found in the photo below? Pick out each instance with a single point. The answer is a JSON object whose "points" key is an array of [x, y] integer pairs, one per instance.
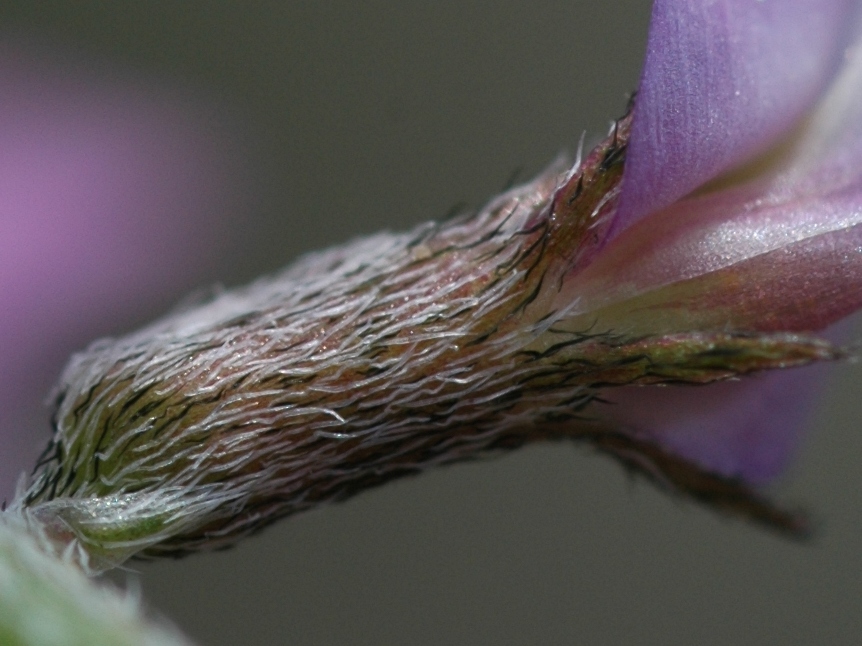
{"points": [[775, 245]]}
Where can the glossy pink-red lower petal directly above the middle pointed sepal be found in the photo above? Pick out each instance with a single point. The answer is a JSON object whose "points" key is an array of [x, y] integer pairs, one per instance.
{"points": [[724, 262]]}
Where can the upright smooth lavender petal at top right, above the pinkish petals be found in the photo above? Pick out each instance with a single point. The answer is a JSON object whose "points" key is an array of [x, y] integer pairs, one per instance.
{"points": [[722, 81]]}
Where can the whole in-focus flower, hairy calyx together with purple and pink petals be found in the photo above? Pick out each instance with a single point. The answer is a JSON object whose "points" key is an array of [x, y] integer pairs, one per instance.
{"points": [[707, 238]]}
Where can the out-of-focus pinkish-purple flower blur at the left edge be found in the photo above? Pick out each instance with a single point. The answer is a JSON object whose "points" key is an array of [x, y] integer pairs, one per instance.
{"points": [[112, 195]]}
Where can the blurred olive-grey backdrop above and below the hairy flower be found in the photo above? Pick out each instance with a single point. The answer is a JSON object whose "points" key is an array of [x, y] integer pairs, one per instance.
{"points": [[332, 119]]}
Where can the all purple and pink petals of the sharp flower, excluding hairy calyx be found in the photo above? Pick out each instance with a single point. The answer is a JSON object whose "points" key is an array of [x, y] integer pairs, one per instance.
{"points": [[740, 209]]}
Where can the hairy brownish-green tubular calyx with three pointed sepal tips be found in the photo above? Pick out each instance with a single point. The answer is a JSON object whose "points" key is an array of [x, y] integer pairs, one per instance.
{"points": [[365, 362]]}
